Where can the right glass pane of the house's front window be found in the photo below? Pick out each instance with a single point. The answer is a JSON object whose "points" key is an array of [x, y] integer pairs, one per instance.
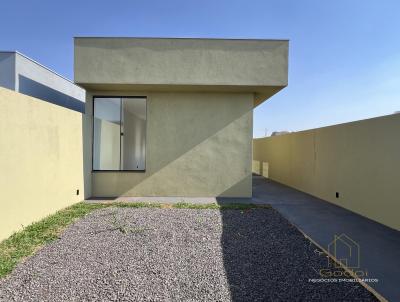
{"points": [[134, 134]]}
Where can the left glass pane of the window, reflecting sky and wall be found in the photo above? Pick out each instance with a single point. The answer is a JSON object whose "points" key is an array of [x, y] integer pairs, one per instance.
{"points": [[106, 134]]}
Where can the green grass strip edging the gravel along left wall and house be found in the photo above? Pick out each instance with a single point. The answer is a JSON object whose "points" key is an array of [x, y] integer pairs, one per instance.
{"points": [[26, 242]]}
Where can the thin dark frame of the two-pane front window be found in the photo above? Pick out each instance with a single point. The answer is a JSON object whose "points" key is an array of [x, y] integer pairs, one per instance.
{"points": [[120, 97]]}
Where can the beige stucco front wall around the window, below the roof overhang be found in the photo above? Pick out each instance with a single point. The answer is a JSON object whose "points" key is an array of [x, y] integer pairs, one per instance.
{"points": [[197, 145]]}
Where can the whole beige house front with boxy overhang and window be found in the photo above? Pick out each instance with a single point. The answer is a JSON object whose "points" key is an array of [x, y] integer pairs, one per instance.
{"points": [[173, 117]]}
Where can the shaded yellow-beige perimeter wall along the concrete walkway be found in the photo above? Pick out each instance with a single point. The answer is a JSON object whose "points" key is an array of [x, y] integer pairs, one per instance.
{"points": [[360, 160]]}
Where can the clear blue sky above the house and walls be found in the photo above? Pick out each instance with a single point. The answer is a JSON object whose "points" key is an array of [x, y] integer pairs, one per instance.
{"points": [[344, 59]]}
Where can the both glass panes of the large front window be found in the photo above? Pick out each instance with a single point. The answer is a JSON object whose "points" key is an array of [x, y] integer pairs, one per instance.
{"points": [[119, 133]]}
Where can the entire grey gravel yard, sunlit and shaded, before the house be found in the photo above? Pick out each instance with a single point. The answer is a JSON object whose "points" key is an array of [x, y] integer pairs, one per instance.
{"points": [[145, 254]]}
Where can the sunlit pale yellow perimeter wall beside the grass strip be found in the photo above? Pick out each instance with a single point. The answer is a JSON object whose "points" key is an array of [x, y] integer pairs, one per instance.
{"points": [[40, 160]]}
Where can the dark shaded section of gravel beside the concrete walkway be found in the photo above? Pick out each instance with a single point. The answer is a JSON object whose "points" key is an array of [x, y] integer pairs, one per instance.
{"points": [[267, 259]]}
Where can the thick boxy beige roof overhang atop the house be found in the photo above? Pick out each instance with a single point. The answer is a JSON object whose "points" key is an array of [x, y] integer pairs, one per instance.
{"points": [[159, 64]]}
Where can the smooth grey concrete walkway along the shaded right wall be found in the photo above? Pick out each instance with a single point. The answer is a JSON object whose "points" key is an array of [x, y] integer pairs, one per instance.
{"points": [[321, 220]]}
